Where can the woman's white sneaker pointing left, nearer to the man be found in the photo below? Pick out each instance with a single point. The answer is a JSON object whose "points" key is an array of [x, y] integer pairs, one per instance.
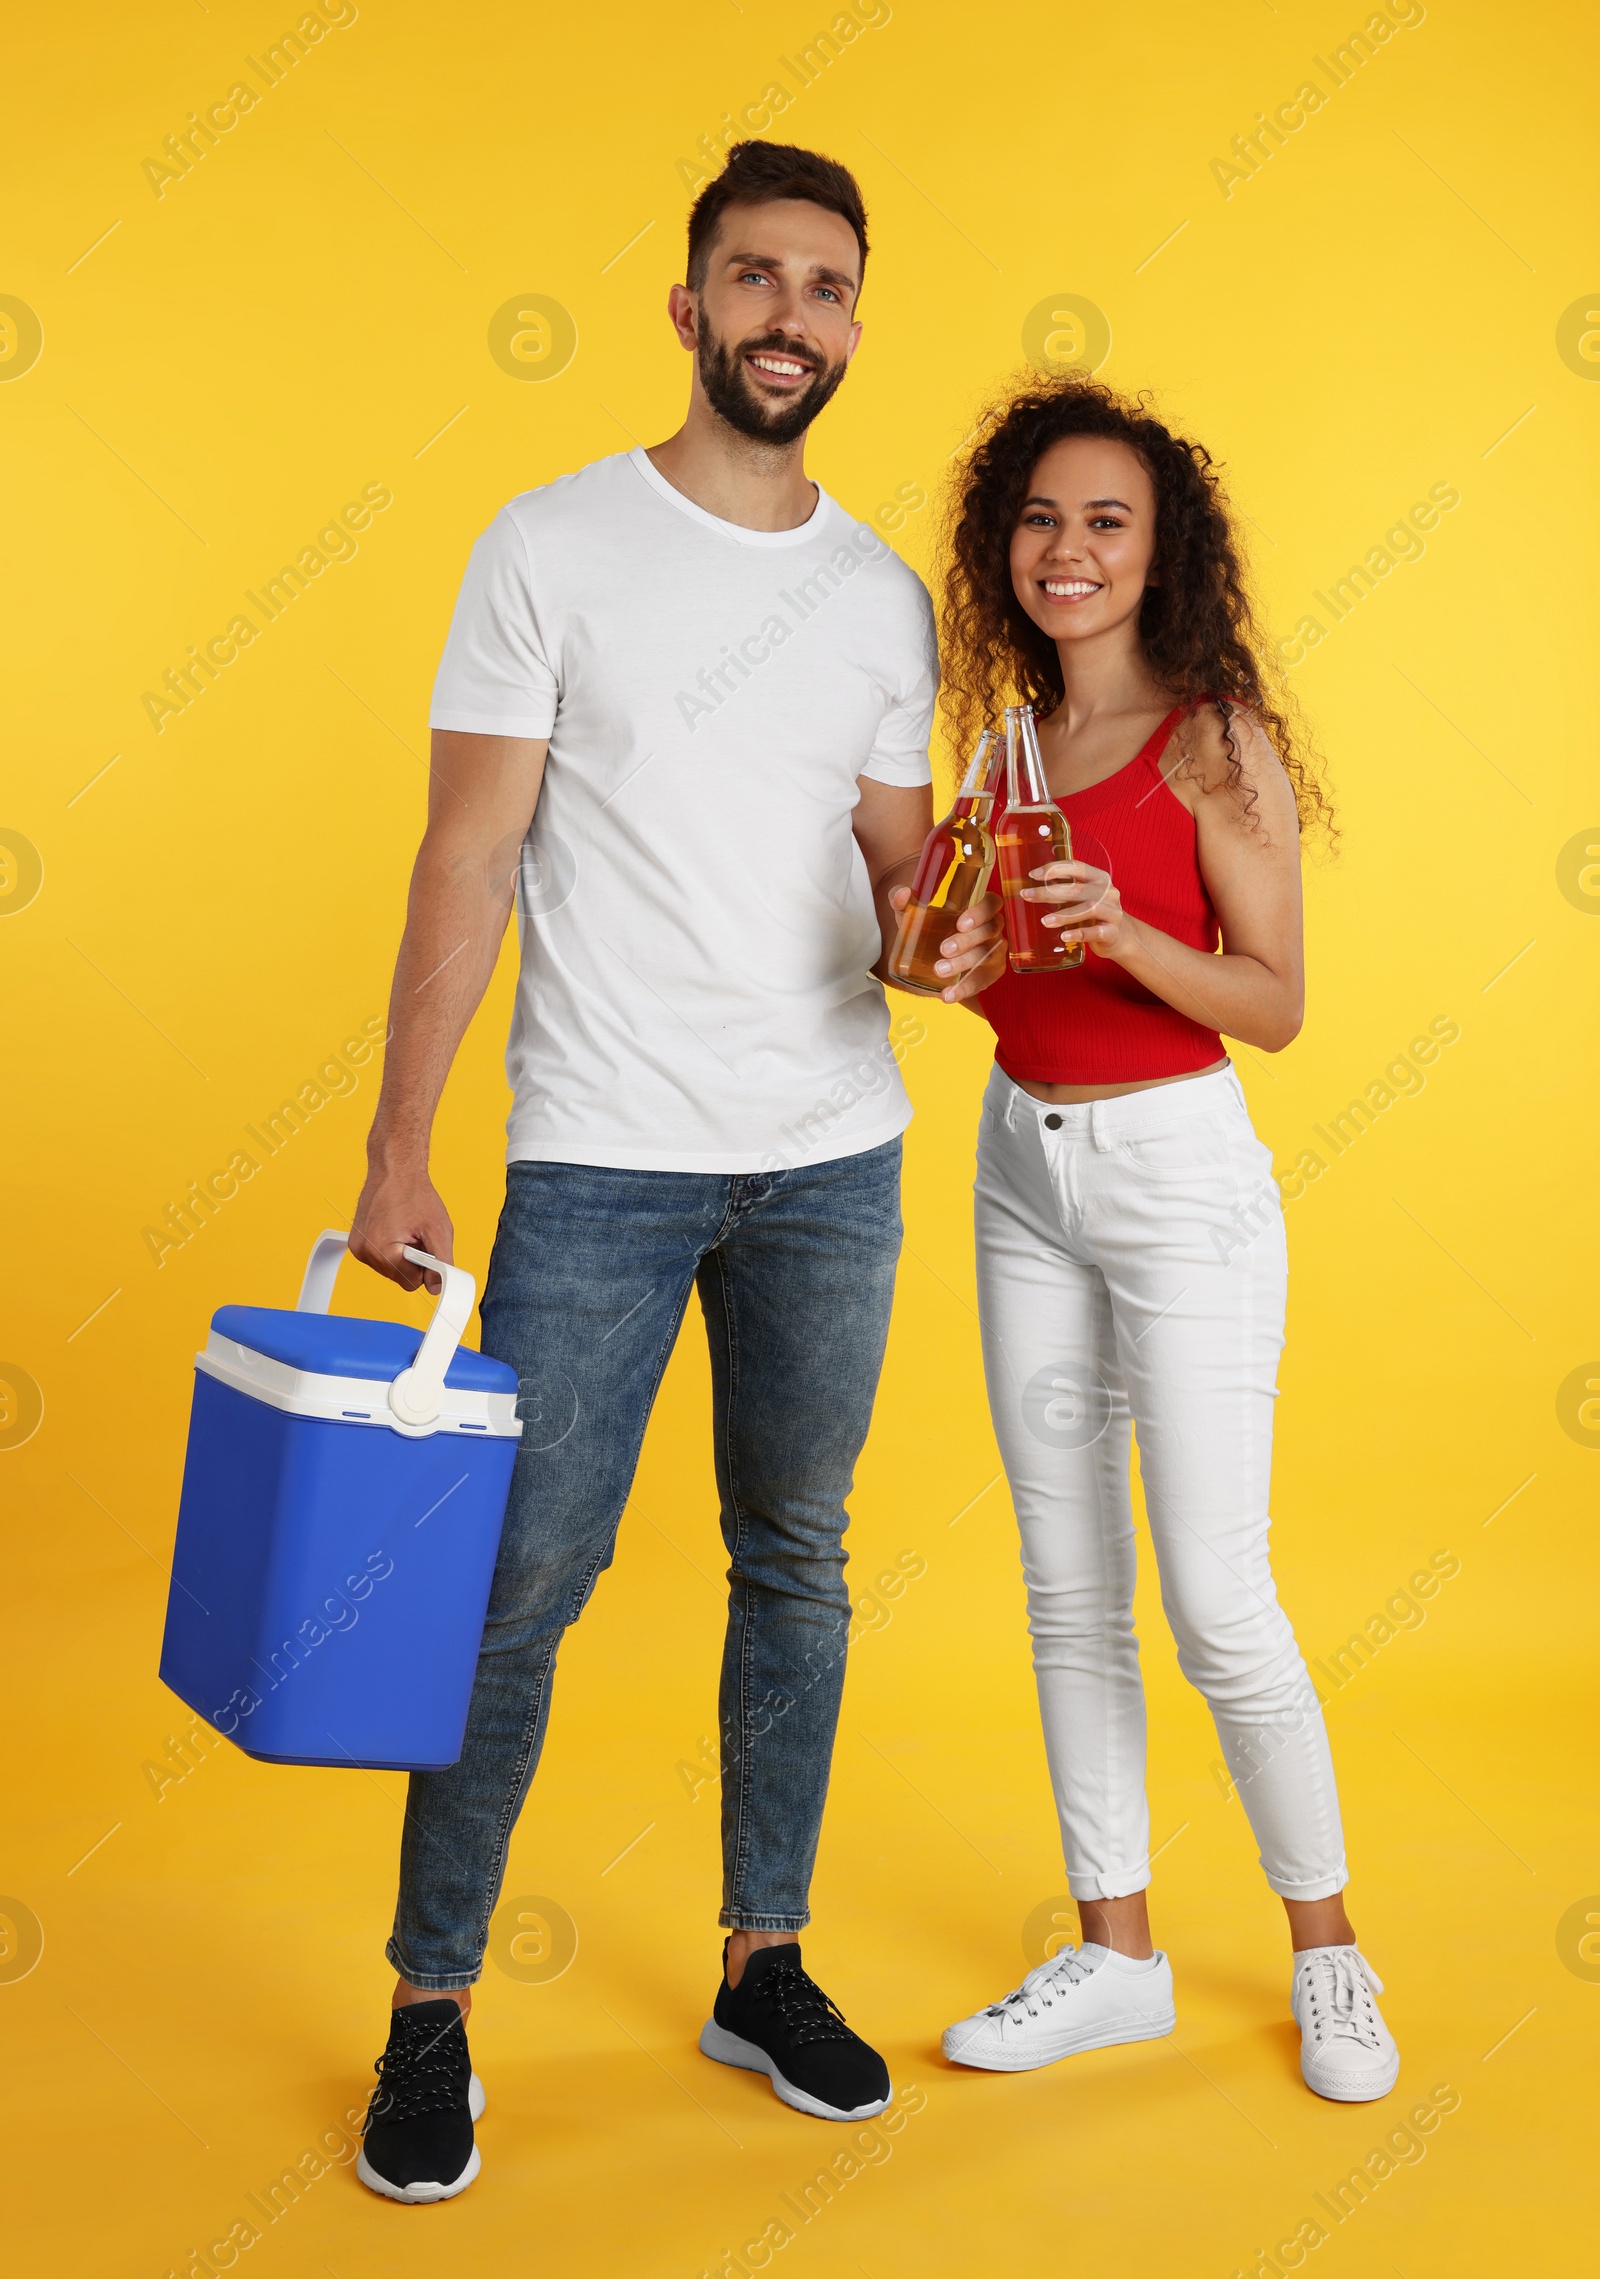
{"points": [[1086, 1998]]}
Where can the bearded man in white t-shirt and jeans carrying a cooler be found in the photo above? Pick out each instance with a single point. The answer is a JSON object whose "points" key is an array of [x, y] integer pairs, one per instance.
{"points": [[717, 694]]}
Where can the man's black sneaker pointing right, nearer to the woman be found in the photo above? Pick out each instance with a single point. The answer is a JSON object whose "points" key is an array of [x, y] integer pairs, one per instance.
{"points": [[778, 2023]]}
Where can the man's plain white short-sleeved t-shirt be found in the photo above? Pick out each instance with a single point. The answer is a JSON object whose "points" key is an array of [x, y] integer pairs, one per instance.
{"points": [[696, 917]]}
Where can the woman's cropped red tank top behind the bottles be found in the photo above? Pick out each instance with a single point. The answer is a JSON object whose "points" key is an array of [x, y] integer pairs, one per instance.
{"points": [[1095, 1024]]}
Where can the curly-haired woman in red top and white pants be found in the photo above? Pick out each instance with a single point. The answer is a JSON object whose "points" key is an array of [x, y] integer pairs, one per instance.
{"points": [[1129, 1232]]}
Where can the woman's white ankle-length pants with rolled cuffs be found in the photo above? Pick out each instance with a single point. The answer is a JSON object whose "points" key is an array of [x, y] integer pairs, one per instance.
{"points": [[1132, 1266]]}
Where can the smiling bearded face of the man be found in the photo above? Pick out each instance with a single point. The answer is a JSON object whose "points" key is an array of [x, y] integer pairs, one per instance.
{"points": [[772, 327]]}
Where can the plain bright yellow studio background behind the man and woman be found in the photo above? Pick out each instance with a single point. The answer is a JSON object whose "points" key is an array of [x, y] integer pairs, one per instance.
{"points": [[302, 316]]}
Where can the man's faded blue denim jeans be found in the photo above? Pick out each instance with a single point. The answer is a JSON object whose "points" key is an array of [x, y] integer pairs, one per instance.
{"points": [[585, 1298]]}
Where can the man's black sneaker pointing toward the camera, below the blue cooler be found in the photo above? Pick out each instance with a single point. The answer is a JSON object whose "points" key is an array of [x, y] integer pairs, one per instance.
{"points": [[418, 2132]]}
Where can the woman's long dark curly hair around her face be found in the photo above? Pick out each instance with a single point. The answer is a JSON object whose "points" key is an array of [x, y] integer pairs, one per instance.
{"points": [[1198, 628]]}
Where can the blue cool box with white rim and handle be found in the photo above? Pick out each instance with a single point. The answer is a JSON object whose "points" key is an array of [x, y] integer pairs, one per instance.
{"points": [[341, 1512]]}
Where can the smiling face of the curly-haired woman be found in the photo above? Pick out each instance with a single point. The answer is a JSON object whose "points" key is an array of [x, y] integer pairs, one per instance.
{"points": [[1084, 548]]}
